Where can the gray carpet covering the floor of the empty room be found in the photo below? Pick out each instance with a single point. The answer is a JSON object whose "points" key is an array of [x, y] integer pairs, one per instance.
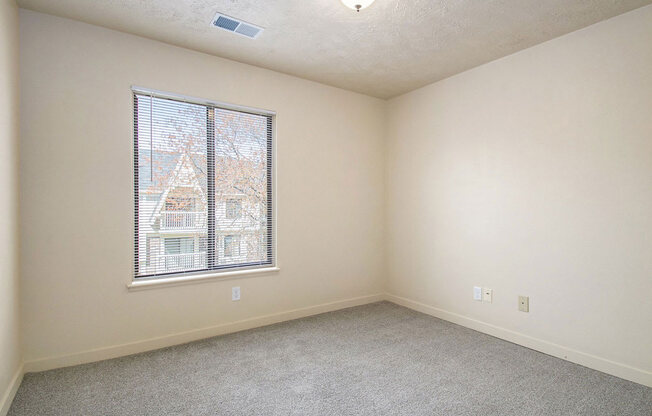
{"points": [[379, 359]]}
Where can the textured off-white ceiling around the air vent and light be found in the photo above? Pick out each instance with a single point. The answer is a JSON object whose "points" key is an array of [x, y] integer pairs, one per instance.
{"points": [[392, 47]]}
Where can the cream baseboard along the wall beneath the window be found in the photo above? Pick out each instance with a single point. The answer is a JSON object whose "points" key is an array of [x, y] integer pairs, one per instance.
{"points": [[189, 336]]}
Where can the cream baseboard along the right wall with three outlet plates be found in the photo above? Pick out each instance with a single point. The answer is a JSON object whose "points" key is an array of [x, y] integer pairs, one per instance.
{"points": [[588, 360]]}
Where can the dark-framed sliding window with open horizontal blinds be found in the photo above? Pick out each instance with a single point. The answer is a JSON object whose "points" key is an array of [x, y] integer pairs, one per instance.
{"points": [[203, 186]]}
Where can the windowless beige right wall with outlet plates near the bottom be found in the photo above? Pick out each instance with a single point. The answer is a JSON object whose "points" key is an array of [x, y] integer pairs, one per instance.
{"points": [[532, 175]]}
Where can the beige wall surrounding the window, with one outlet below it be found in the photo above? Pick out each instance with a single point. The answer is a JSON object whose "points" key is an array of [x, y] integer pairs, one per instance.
{"points": [[77, 203]]}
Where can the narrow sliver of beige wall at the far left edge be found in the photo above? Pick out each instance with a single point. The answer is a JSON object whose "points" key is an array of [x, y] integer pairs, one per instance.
{"points": [[10, 356]]}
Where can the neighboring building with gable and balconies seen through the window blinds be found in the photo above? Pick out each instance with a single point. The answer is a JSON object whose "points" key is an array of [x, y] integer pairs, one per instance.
{"points": [[173, 217]]}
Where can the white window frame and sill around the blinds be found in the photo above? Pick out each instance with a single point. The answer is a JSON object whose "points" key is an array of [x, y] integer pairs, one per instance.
{"points": [[141, 283]]}
